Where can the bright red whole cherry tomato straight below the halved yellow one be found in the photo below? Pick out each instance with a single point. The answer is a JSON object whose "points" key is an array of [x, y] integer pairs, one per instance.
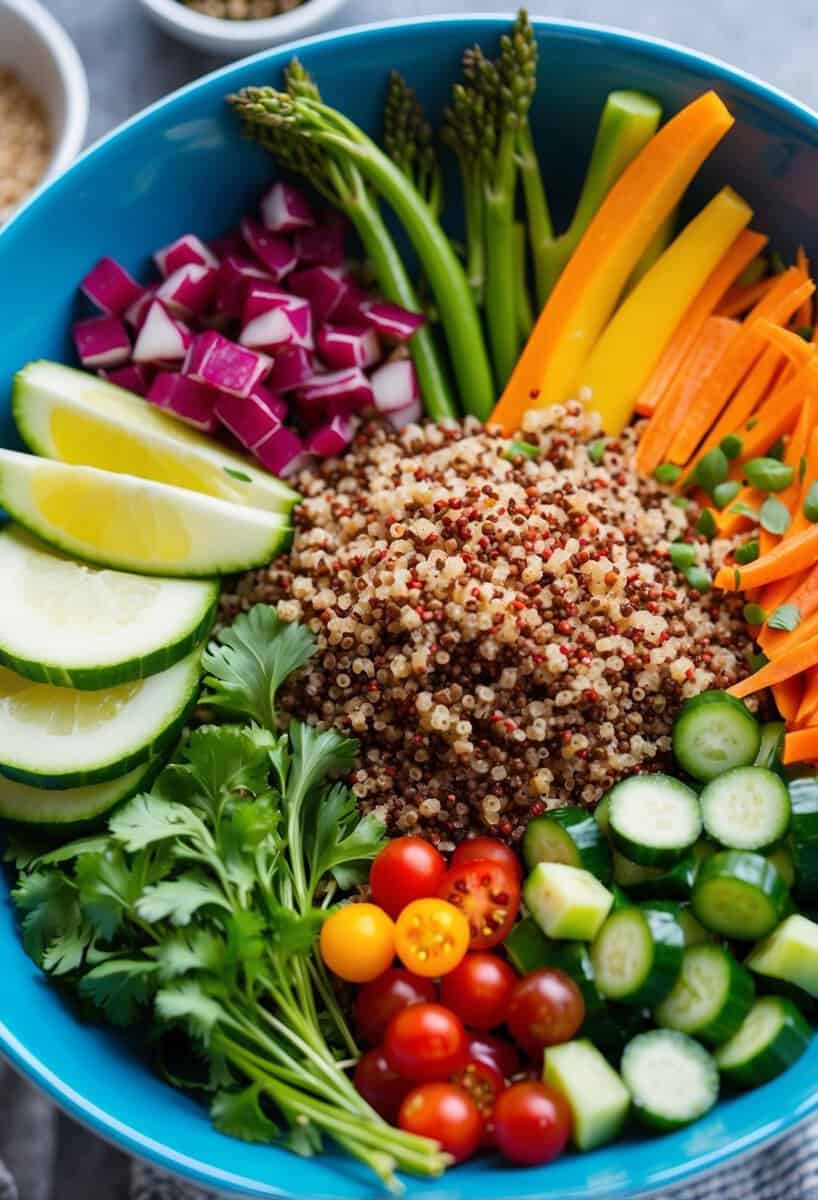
{"points": [[425, 1043]]}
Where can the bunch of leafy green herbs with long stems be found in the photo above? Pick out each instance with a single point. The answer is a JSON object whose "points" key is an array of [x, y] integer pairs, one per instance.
{"points": [[201, 905]]}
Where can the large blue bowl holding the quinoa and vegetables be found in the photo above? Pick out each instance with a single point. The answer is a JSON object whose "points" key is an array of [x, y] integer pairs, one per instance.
{"points": [[182, 166]]}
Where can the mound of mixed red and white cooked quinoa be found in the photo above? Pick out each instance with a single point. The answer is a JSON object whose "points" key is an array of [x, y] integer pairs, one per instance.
{"points": [[502, 637]]}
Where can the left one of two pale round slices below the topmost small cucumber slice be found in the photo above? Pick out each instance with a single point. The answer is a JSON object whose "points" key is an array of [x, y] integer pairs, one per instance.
{"points": [[654, 820]]}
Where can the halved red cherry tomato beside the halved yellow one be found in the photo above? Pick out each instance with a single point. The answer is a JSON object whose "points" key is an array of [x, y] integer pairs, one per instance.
{"points": [[489, 896]]}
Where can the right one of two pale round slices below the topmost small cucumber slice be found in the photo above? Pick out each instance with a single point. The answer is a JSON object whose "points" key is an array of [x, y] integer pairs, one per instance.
{"points": [[748, 808]]}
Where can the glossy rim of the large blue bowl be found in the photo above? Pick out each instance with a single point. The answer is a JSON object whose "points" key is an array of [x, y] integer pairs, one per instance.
{"points": [[67, 1097]]}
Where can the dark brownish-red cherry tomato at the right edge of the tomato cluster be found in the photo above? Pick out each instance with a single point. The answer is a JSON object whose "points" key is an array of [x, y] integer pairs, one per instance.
{"points": [[546, 1009]]}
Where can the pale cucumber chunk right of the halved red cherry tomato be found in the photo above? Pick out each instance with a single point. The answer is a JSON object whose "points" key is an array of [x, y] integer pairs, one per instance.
{"points": [[567, 902]]}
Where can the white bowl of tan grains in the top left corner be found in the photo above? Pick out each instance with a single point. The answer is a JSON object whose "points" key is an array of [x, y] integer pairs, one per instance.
{"points": [[45, 58]]}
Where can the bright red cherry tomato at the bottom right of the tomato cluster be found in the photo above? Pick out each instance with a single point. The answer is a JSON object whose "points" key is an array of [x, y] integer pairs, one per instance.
{"points": [[532, 1124]]}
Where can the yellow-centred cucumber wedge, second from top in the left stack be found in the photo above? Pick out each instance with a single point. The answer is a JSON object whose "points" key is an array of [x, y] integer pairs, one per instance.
{"points": [[135, 525]]}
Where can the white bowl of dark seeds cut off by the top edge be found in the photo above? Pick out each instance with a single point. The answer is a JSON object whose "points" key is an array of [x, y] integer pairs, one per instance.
{"points": [[234, 39]]}
